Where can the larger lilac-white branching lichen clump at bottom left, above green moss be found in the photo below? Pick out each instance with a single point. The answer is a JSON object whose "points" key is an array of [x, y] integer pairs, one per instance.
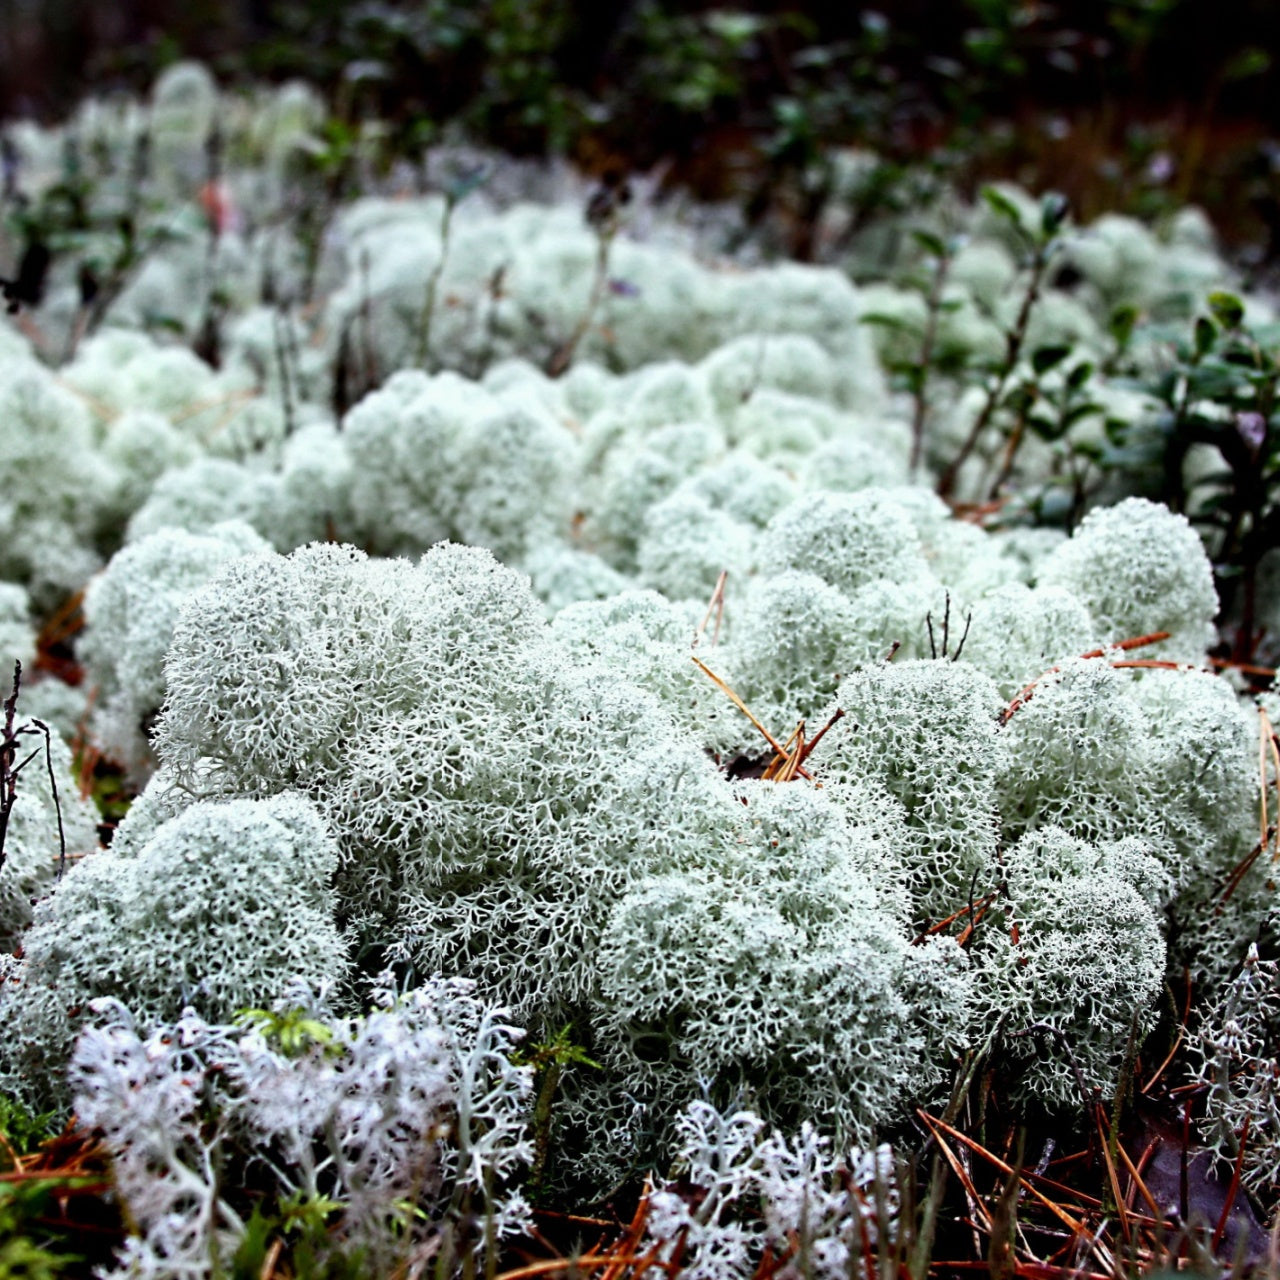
{"points": [[390, 1123]]}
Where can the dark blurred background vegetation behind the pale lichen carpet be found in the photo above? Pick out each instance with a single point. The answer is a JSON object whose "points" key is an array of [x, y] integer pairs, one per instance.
{"points": [[1137, 106]]}
